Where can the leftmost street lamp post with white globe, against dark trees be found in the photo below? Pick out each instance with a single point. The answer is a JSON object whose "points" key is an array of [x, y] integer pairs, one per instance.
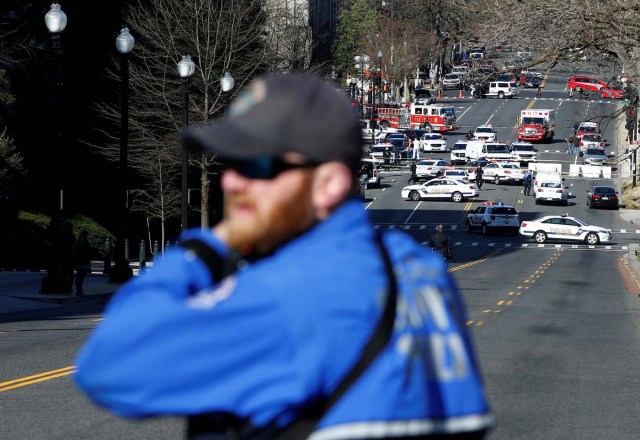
{"points": [[56, 22]]}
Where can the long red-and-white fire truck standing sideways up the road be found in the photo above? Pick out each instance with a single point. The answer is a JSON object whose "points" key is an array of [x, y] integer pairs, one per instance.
{"points": [[431, 117]]}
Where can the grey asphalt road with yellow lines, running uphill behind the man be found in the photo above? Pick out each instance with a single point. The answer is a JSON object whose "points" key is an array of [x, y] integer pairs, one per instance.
{"points": [[555, 329]]}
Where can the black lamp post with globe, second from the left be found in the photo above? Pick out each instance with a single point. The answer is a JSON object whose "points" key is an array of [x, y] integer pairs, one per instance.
{"points": [[121, 270]]}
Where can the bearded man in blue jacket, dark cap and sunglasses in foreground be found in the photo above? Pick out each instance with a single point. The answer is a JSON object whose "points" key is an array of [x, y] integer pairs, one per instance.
{"points": [[247, 327]]}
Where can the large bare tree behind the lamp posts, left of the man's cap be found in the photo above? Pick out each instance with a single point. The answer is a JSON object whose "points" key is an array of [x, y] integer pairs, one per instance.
{"points": [[220, 36]]}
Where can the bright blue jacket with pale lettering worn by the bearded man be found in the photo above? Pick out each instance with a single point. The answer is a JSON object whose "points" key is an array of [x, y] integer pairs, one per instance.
{"points": [[284, 330]]}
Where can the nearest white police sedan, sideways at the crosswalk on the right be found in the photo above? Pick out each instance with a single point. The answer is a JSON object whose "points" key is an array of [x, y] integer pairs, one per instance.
{"points": [[564, 227]]}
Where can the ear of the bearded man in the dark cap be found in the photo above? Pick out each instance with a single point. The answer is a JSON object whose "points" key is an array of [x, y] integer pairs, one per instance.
{"points": [[332, 184]]}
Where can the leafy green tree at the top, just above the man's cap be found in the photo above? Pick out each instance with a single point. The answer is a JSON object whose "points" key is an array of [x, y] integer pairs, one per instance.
{"points": [[358, 27]]}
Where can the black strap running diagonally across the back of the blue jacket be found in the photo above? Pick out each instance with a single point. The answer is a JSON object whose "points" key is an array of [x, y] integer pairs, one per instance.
{"points": [[302, 427]]}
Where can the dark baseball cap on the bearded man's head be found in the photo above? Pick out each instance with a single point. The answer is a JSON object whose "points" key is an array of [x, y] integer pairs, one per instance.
{"points": [[284, 113]]}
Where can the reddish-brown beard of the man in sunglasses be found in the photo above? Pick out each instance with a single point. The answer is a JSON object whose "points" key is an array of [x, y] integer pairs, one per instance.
{"points": [[261, 232]]}
